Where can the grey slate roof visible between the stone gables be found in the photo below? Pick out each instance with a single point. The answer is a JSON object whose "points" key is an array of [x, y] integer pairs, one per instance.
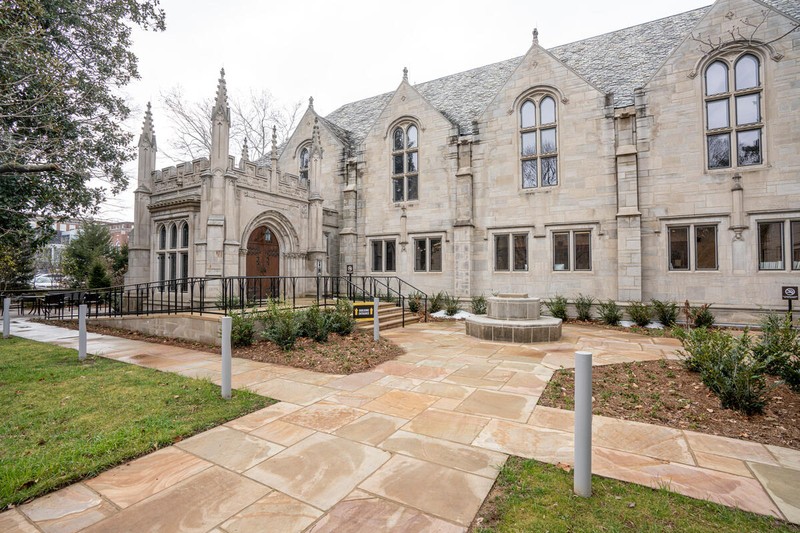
{"points": [[616, 62]]}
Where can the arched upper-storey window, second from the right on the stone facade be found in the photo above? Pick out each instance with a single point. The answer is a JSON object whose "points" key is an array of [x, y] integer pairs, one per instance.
{"points": [[538, 142]]}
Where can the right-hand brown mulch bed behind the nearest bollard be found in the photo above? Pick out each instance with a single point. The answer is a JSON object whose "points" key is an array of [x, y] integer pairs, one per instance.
{"points": [[666, 394]]}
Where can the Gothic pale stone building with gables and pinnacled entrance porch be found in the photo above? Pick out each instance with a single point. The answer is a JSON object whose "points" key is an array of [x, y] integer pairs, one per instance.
{"points": [[658, 161]]}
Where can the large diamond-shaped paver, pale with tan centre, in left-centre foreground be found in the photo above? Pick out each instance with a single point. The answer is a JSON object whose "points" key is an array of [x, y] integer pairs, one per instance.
{"points": [[319, 470]]}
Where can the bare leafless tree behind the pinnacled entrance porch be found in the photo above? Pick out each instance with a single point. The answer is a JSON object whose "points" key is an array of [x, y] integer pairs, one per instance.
{"points": [[253, 118]]}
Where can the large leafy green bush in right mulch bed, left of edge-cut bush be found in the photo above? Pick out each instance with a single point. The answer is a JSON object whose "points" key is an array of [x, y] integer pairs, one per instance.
{"points": [[727, 367]]}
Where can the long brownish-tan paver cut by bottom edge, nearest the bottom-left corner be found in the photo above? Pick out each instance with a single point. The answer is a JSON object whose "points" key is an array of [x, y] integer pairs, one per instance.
{"points": [[194, 505]]}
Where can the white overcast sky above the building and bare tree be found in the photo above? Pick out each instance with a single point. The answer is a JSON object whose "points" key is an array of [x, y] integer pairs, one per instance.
{"points": [[342, 51]]}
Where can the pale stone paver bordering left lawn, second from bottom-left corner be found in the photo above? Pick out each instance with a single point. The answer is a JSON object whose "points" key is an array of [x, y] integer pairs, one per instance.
{"points": [[69, 509]]}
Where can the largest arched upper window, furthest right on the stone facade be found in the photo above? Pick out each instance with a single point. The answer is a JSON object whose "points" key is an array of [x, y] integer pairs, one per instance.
{"points": [[733, 113]]}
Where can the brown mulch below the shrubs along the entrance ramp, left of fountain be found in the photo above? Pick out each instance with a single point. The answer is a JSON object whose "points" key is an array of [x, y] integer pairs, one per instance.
{"points": [[348, 354]]}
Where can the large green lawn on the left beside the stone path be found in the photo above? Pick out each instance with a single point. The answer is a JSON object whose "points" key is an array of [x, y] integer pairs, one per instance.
{"points": [[62, 420]]}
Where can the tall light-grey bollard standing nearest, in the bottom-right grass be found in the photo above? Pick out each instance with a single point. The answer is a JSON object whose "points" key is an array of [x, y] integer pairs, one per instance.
{"points": [[583, 424]]}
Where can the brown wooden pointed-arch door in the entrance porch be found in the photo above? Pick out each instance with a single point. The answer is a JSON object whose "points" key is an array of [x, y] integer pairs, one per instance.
{"points": [[263, 264]]}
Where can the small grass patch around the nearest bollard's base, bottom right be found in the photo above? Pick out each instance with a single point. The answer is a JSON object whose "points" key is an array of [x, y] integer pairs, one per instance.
{"points": [[533, 496]]}
